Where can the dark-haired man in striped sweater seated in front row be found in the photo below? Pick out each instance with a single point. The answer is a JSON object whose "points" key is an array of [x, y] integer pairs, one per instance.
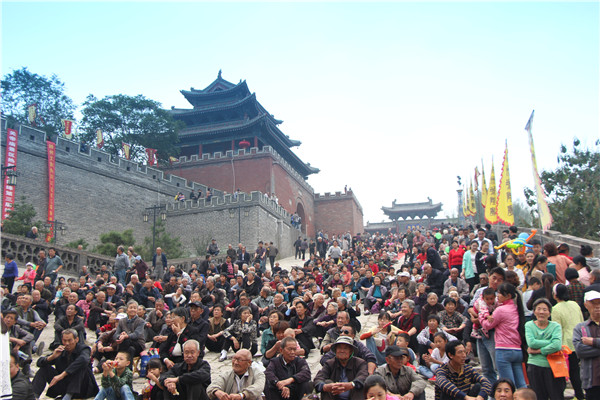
{"points": [[457, 380]]}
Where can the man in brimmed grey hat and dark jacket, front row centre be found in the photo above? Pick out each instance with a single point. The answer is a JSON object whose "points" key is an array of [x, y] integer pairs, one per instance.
{"points": [[342, 377]]}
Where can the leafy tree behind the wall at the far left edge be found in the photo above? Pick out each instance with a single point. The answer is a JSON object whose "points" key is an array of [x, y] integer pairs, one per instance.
{"points": [[22, 88]]}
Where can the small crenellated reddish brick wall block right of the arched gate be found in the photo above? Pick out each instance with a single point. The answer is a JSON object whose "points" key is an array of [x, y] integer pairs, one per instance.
{"points": [[338, 214]]}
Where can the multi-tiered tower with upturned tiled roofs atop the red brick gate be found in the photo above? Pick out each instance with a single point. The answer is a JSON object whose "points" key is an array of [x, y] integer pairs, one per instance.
{"points": [[226, 116]]}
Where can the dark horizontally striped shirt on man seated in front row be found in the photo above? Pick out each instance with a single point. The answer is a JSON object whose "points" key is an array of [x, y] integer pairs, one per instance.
{"points": [[457, 385]]}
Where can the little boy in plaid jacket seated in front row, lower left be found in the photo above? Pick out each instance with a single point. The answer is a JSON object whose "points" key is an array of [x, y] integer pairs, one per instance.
{"points": [[117, 378]]}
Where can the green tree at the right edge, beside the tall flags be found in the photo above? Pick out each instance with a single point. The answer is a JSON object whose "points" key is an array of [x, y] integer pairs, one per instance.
{"points": [[573, 191]]}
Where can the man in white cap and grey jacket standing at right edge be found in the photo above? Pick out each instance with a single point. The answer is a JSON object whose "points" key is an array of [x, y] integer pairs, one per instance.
{"points": [[586, 339]]}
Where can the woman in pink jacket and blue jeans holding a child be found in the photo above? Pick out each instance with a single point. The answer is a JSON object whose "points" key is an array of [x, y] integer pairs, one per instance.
{"points": [[509, 322]]}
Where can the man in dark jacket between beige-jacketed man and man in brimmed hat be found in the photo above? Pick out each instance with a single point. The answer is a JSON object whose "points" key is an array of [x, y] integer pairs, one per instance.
{"points": [[287, 376]]}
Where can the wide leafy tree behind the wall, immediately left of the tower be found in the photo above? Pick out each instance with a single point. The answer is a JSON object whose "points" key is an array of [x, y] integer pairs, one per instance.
{"points": [[135, 120]]}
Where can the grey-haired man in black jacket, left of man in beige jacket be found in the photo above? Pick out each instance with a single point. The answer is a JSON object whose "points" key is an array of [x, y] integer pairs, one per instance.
{"points": [[188, 379]]}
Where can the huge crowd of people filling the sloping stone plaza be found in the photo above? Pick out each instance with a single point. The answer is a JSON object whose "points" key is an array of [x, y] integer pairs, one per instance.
{"points": [[446, 302]]}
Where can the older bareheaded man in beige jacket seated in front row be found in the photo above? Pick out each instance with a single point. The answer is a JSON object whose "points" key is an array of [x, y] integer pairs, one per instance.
{"points": [[243, 382]]}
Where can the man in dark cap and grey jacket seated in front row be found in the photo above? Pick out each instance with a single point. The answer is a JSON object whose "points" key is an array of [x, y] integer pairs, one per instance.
{"points": [[401, 380]]}
